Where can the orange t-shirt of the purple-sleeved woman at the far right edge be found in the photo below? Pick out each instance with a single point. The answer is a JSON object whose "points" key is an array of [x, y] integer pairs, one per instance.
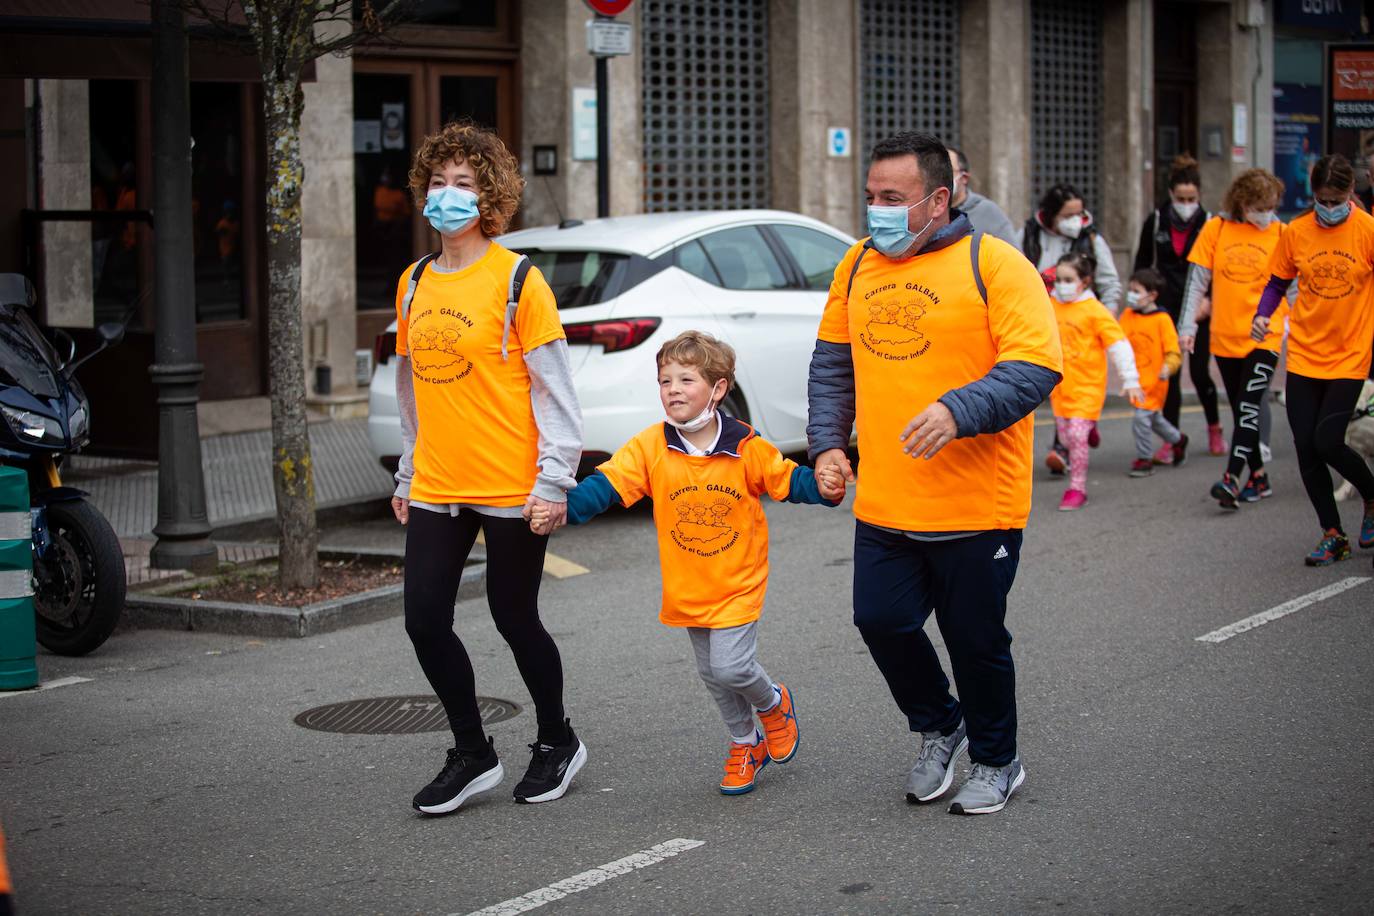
{"points": [[1332, 323]]}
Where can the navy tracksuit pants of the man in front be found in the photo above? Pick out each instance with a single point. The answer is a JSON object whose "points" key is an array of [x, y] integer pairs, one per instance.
{"points": [[899, 582]]}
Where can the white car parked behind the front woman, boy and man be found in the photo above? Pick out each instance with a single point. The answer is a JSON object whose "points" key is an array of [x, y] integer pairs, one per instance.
{"points": [[756, 279]]}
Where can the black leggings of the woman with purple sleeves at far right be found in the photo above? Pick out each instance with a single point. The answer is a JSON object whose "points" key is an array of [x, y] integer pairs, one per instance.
{"points": [[1320, 411]]}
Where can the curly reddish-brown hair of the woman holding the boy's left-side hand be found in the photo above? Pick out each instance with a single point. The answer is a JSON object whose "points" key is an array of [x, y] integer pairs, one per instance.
{"points": [[499, 182]]}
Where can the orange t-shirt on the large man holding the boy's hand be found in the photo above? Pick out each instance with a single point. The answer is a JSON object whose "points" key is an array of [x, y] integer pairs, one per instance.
{"points": [[919, 329]]}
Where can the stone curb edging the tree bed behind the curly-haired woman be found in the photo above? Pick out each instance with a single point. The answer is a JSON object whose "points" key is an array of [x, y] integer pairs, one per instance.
{"points": [[150, 612]]}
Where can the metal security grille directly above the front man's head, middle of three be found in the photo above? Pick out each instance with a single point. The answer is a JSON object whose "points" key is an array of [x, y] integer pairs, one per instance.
{"points": [[910, 69]]}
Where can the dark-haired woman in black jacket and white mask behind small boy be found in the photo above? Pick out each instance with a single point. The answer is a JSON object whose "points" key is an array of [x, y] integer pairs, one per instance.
{"points": [[1167, 240]]}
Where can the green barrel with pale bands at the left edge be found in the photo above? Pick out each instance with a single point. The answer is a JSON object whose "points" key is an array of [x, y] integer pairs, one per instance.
{"points": [[19, 645]]}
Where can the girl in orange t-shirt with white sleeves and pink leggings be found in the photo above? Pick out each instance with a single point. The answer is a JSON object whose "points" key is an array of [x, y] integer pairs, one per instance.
{"points": [[1090, 336]]}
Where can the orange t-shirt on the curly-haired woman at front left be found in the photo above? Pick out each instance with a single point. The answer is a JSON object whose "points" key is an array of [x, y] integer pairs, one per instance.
{"points": [[477, 440]]}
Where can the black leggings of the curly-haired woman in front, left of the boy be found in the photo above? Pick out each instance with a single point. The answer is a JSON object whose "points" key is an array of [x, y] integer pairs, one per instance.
{"points": [[436, 547]]}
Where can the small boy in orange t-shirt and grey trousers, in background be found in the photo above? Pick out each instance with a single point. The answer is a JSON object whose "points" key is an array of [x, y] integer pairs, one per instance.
{"points": [[1156, 345]]}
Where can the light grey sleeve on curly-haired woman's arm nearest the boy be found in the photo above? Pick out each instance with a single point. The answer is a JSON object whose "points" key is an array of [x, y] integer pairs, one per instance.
{"points": [[559, 418]]}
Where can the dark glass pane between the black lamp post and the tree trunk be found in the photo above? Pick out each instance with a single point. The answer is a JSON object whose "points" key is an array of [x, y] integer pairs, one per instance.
{"points": [[218, 200]]}
